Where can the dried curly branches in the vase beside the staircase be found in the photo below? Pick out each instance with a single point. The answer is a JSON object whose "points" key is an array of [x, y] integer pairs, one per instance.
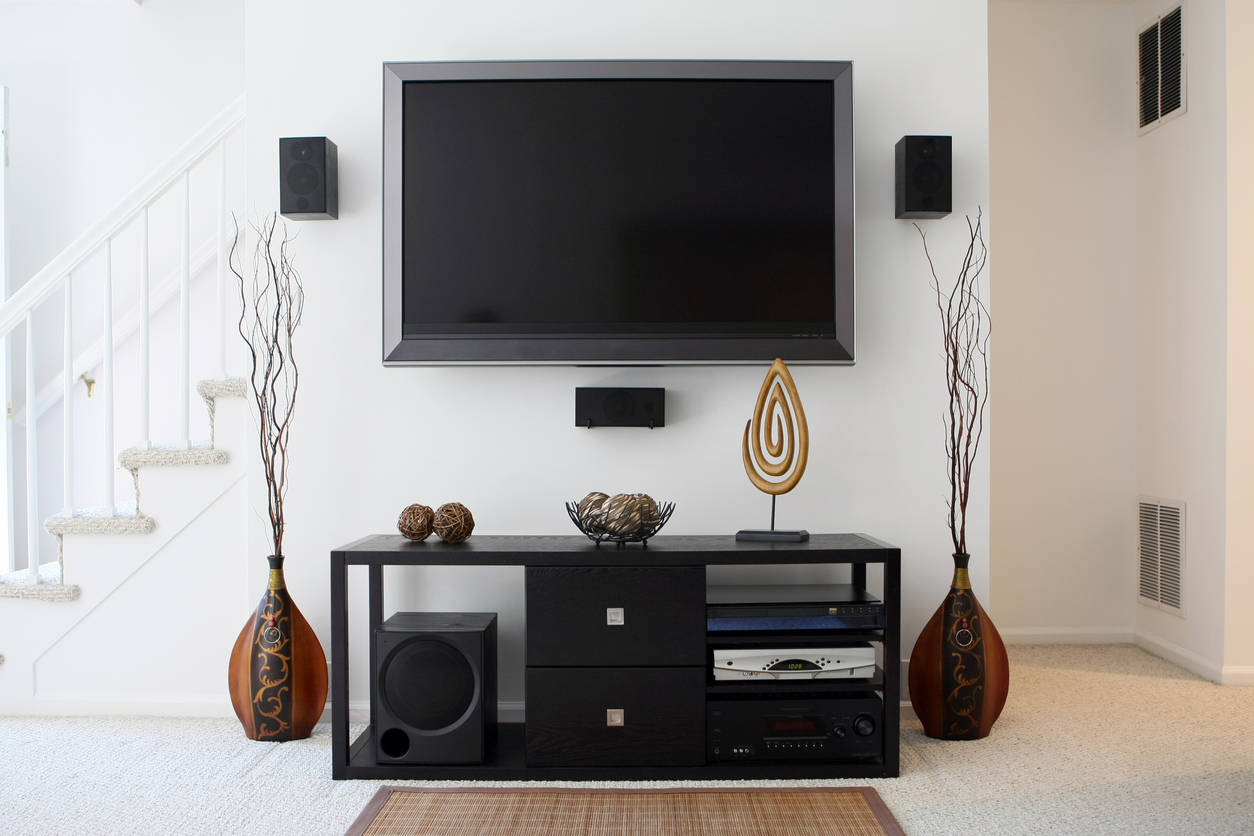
{"points": [[273, 305]]}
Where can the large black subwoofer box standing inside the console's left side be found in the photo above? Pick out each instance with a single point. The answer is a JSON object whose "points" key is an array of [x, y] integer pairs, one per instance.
{"points": [[436, 687]]}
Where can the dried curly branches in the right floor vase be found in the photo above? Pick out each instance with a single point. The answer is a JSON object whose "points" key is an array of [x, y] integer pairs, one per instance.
{"points": [[967, 327]]}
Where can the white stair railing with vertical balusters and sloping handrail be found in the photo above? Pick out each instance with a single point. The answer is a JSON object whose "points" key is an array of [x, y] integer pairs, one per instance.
{"points": [[58, 276]]}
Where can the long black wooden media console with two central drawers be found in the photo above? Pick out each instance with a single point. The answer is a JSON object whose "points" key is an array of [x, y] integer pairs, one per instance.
{"points": [[650, 662]]}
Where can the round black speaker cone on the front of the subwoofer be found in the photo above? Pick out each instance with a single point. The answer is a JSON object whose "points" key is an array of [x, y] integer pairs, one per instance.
{"points": [[429, 685]]}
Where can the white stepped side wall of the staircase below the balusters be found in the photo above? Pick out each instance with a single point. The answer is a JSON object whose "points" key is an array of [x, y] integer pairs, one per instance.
{"points": [[159, 614]]}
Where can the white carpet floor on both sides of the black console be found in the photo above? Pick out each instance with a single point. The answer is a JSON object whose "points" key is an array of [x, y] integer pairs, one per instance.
{"points": [[1094, 740]]}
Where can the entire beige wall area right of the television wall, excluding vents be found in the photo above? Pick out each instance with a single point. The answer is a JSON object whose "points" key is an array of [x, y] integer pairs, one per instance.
{"points": [[1125, 301]]}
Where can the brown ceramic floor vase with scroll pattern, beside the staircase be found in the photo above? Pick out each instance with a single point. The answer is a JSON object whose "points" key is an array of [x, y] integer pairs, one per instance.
{"points": [[278, 669]]}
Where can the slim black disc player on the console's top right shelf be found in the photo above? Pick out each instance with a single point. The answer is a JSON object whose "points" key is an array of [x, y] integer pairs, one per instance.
{"points": [[793, 607]]}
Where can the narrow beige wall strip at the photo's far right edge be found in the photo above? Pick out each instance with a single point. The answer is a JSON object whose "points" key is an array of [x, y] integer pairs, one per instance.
{"points": [[1240, 571]]}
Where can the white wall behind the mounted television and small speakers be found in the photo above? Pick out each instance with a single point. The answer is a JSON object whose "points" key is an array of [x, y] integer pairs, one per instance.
{"points": [[369, 441]]}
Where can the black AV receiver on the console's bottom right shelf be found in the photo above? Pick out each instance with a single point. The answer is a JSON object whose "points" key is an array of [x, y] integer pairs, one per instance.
{"points": [[794, 730]]}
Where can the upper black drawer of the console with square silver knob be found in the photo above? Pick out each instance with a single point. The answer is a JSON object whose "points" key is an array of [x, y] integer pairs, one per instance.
{"points": [[569, 622]]}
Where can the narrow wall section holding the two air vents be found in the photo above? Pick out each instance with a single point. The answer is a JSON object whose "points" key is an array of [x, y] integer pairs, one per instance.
{"points": [[1182, 308]]}
